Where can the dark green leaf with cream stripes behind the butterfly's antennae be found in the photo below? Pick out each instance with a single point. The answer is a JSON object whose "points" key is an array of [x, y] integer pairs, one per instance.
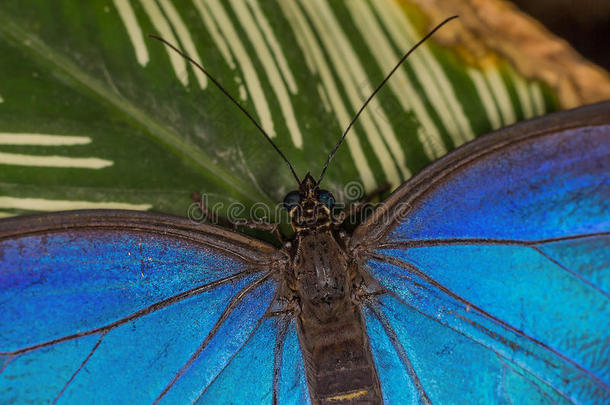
{"points": [[95, 114]]}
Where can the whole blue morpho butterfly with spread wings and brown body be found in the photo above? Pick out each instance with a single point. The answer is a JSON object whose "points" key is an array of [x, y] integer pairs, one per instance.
{"points": [[482, 279]]}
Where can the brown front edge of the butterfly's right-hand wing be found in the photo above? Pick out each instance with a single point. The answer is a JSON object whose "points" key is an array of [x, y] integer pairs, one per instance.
{"points": [[397, 205]]}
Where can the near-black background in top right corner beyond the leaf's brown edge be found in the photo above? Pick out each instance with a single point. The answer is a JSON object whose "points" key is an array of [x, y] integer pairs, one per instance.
{"points": [[583, 23]]}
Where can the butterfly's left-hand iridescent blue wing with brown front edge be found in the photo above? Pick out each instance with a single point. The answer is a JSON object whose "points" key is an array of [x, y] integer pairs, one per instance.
{"points": [[113, 307]]}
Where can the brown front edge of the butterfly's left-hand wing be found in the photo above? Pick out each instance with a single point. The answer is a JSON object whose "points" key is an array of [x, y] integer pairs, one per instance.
{"points": [[247, 249]]}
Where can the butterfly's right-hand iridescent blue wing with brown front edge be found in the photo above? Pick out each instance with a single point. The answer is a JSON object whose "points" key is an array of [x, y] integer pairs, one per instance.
{"points": [[494, 267]]}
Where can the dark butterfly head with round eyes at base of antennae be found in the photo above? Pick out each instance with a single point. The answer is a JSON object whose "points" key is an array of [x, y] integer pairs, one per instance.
{"points": [[310, 206]]}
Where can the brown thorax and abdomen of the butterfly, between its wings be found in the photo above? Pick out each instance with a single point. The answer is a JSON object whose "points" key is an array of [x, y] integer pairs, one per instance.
{"points": [[338, 360]]}
